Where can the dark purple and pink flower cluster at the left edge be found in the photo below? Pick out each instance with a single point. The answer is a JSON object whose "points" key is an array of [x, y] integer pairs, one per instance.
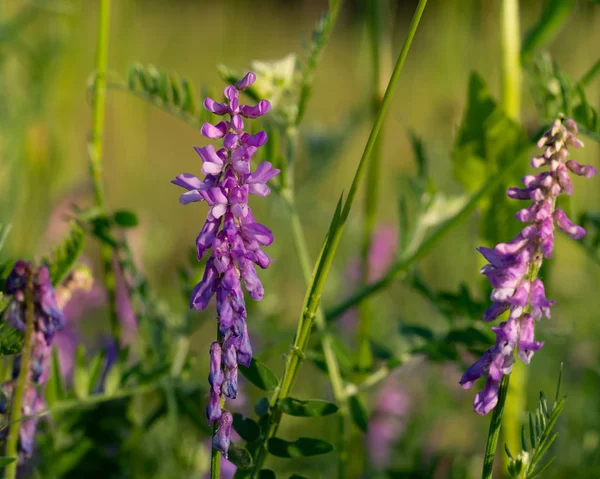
{"points": [[48, 319]]}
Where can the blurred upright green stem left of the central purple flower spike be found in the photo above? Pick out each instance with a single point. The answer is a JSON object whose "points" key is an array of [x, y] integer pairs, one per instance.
{"points": [[96, 151]]}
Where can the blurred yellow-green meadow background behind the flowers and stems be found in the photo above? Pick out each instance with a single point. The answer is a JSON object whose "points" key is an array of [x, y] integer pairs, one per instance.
{"points": [[45, 121]]}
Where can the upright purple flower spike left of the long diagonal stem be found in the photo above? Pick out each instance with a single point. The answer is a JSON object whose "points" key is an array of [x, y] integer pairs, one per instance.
{"points": [[235, 238]]}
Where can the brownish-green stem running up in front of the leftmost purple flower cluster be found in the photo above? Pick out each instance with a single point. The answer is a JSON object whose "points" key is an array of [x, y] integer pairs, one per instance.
{"points": [[12, 442]]}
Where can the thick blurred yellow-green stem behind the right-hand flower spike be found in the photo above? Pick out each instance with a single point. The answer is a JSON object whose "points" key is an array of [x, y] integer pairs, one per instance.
{"points": [[511, 101]]}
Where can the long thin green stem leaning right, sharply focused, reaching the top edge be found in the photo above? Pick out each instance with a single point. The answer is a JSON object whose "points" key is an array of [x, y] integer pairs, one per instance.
{"points": [[312, 300]]}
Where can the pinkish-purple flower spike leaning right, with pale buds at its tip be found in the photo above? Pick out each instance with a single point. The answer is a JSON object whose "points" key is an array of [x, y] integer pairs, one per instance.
{"points": [[513, 266]]}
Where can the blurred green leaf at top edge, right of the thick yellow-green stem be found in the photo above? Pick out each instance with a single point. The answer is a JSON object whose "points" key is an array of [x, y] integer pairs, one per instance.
{"points": [[554, 15]]}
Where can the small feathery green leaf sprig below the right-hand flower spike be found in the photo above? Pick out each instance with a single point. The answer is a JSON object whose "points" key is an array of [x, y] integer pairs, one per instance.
{"points": [[536, 438]]}
